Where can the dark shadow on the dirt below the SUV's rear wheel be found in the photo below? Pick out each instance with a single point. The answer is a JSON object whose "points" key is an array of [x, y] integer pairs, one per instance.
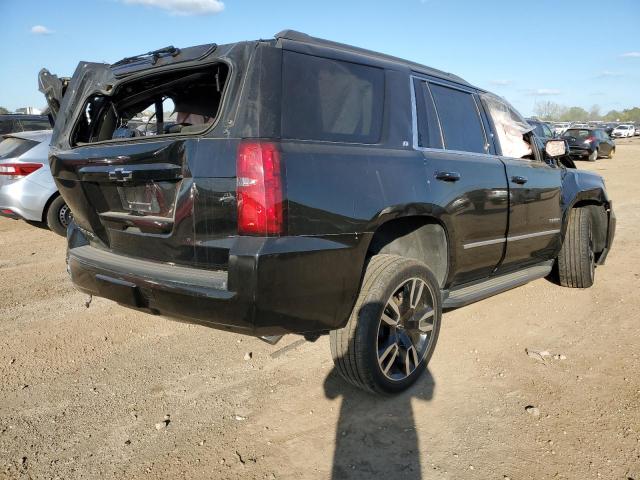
{"points": [[376, 436]]}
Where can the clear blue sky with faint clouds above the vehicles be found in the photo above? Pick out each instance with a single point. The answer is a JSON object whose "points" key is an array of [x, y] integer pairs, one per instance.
{"points": [[571, 52]]}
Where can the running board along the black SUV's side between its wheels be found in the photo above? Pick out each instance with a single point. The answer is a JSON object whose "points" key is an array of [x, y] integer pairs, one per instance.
{"points": [[465, 295]]}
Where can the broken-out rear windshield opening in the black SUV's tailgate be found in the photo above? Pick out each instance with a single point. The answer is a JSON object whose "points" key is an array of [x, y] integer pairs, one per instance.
{"points": [[173, 103]]}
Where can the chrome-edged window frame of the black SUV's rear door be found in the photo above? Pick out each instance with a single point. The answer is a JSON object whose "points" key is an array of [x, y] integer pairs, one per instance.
{"points": [[488, 135]]}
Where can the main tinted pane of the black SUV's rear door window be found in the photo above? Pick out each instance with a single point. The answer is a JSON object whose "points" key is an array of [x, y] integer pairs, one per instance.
{"points": [[459, 119]]}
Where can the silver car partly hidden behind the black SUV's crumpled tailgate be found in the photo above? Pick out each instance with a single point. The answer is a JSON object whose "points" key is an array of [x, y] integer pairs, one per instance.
{"points": [[27, 189]]}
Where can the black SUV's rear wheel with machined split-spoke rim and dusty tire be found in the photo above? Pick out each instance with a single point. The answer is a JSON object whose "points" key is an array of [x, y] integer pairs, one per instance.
{"points": [[393, 328]]}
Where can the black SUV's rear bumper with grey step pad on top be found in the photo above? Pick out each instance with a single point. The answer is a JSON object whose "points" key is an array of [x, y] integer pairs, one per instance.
{"points": [[273, 285]]}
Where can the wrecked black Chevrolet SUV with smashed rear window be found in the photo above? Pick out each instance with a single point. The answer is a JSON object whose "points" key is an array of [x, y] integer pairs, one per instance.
{"points": [[313, 187]]}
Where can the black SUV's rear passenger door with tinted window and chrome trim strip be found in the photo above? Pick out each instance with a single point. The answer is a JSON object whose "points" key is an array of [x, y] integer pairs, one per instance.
{"points": [[464, 177]]}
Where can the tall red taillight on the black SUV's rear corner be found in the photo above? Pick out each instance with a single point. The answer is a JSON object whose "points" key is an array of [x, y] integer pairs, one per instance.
{"points": [[259, 189]]}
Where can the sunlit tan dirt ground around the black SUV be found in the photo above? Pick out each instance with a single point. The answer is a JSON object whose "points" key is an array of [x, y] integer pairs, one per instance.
{"points": [[105, 392]]}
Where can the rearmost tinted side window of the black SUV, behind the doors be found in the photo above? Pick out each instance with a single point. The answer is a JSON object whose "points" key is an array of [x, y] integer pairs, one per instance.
{"points": [[326, 99]]}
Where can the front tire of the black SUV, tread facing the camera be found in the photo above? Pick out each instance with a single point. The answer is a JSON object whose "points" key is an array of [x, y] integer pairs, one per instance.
{"points": [[576, 261]]}
